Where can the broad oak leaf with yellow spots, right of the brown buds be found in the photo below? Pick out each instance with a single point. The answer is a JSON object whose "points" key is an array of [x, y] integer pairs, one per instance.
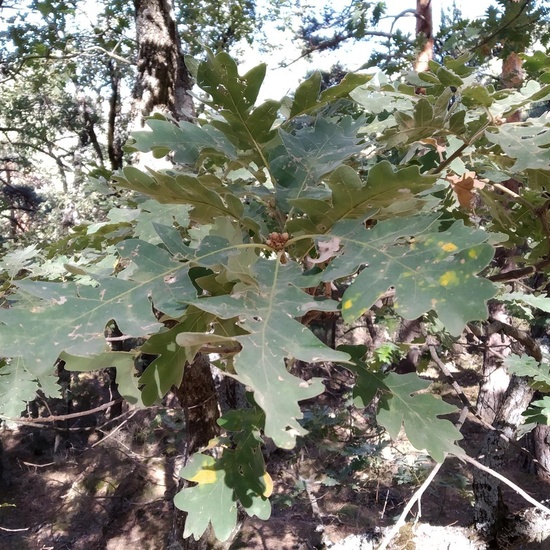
{"points": [[429, 270]]}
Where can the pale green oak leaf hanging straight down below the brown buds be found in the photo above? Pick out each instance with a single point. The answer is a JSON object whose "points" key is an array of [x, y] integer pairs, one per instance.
{"points": [[267, 312]]}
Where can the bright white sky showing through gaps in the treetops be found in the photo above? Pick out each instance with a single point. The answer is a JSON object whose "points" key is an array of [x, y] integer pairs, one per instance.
{"points": [[280, 81]]}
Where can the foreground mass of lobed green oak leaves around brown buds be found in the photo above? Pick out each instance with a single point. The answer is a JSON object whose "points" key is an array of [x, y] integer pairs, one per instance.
{"points": [[283, 203]]}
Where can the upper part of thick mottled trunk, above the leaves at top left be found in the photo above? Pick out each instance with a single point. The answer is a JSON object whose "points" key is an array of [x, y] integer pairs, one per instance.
{"points": [[163, 80]]}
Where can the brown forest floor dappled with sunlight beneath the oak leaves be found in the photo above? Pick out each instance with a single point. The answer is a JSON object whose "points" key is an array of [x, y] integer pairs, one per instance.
{"points": [[342, 487]]}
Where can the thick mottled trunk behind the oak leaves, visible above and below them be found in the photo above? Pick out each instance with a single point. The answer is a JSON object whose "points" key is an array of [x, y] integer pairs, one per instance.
{"points": [[162, 85]]}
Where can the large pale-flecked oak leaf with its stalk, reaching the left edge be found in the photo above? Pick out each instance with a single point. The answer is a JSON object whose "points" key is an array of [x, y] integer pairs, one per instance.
{"points": [[72, 318]]}
